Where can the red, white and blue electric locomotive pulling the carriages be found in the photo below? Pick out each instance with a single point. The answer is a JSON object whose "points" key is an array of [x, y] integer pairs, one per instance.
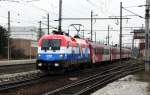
{"points": [[61, 52]]}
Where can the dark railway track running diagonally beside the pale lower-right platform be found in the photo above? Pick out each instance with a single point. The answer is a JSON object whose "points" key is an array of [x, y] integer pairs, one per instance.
{"points": [[86, 85]]}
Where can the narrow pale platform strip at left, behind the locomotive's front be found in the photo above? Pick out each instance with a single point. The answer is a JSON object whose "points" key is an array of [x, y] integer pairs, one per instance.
{"points": [[17, 62]]}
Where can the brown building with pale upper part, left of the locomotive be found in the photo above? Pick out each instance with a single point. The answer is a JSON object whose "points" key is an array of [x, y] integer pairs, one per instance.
{"points": [[23, 42]]}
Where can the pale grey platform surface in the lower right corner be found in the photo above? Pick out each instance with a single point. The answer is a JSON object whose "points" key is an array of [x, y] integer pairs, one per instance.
{"points": [[136, 84]]}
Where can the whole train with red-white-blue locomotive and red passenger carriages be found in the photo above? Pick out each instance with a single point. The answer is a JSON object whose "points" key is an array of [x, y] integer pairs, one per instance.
{"points": [[63, 52]]}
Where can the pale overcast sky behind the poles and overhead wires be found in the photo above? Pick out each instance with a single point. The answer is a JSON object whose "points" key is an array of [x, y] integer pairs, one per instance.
{"points": [[28, 14]]}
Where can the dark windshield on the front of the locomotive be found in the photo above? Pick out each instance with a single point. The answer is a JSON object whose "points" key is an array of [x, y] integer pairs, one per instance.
{"points": [[53, 44]]}
